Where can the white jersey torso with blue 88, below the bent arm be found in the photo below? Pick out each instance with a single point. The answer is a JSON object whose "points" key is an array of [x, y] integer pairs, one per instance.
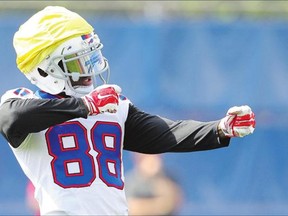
{"points": [[76, 167]]}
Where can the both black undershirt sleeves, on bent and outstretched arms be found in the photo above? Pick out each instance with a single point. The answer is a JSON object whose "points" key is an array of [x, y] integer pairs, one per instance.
{"points": [[144, 132]]}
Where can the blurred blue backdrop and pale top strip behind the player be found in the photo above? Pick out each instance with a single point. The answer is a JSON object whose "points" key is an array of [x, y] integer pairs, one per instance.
{"points": [[186, 60]]}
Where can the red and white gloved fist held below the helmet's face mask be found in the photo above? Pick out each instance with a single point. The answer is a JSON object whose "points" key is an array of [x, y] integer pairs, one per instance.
{"points": [[104, 98]]}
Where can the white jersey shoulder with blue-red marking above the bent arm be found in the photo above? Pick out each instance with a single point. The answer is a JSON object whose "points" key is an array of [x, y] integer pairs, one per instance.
{"points": [[20, 92]]}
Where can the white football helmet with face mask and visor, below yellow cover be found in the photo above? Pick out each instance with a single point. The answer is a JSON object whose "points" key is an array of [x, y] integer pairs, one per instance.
{"points": [[76, 58]]}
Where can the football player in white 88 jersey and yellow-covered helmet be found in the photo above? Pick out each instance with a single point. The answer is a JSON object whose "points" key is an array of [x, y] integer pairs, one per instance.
{"points": [[69, 135]]}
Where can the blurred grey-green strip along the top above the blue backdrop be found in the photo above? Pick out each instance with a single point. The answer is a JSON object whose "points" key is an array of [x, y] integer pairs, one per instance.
{"points": [[191, 9]]}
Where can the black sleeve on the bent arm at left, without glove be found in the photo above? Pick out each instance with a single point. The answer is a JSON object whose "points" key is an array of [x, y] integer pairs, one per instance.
{"points": [[21, 116]]}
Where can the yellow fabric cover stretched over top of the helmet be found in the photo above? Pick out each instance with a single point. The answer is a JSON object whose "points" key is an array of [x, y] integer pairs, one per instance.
{"points": [[40, 35]]}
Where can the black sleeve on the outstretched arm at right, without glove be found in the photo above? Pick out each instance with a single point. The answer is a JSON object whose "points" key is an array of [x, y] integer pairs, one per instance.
{"points": [[151, 134]]}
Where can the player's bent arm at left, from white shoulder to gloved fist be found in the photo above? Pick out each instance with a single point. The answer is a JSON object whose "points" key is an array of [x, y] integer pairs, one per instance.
{"points": [[22, 113]]}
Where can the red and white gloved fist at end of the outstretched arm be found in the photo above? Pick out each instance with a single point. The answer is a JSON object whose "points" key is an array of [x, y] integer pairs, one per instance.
{"points": [[238, 122]]}
